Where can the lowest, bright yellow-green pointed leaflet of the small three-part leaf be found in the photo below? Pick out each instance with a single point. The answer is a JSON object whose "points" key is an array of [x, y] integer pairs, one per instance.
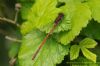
{"points": [[89, 55]]}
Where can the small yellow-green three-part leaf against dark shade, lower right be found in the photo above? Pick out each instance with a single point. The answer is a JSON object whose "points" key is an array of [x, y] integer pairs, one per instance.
{"points": [[83, 45]]}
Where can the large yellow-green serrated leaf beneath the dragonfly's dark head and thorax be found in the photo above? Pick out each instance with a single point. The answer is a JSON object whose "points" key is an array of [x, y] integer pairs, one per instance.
{"points": [[42, 17]]}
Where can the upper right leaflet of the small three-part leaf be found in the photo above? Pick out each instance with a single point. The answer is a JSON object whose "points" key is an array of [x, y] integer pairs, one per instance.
{"points": [[88, 43]]}
